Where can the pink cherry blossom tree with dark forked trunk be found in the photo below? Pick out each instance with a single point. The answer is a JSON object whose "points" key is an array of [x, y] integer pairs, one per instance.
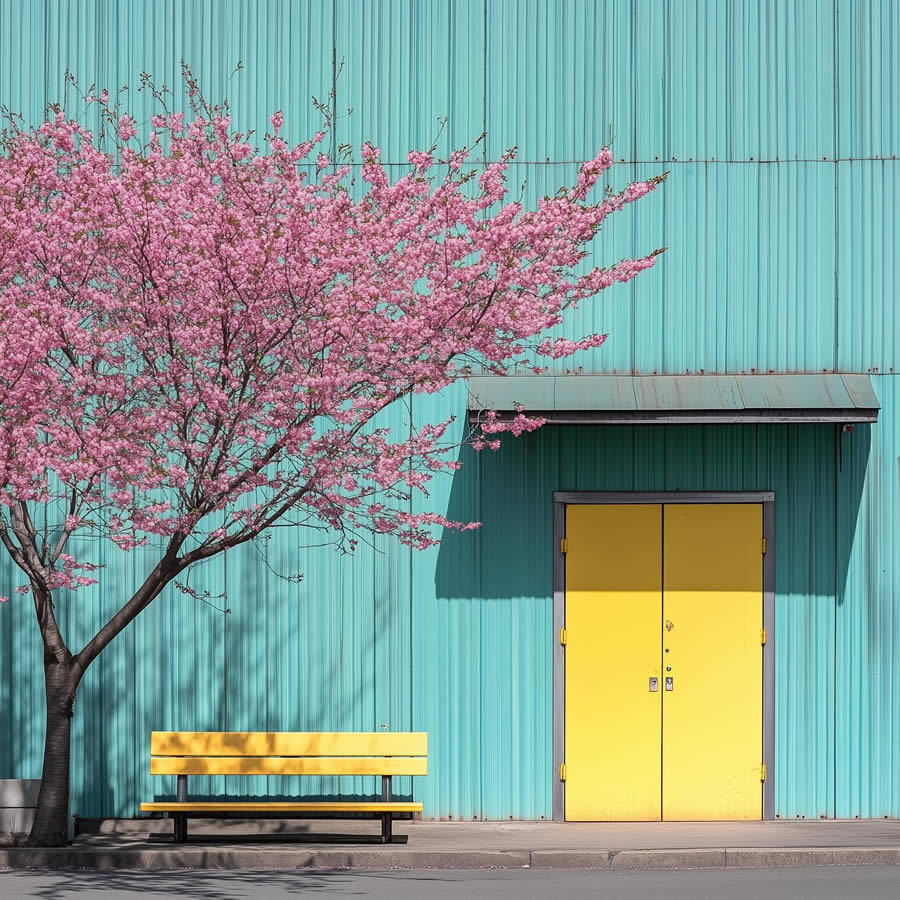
{"points": [[197, 335]]}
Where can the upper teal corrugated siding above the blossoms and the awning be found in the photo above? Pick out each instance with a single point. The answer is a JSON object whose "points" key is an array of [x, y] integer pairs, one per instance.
{"points": [[744, 101]]}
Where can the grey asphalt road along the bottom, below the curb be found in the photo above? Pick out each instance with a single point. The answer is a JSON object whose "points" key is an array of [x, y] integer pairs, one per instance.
{"points": [[828, 883]]}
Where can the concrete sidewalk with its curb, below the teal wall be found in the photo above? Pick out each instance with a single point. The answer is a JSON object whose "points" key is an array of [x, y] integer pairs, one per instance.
{"points": [[291, 844]]}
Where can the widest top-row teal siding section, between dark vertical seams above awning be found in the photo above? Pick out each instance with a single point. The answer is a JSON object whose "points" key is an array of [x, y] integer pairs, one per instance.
{"points": [[665, 79]]}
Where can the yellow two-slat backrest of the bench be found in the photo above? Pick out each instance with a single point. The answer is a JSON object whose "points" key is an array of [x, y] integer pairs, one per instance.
{"points": [[288, 753]]}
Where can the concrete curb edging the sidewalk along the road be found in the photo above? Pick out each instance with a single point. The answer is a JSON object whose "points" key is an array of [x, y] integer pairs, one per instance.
{"points": [[390, 858]]}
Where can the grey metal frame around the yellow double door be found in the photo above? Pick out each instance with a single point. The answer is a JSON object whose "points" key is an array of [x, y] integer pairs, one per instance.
{"points": [[562, 499]]}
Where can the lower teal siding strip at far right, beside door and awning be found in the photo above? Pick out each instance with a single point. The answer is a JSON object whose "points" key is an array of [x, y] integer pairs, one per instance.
{"points": [[867, 708]]}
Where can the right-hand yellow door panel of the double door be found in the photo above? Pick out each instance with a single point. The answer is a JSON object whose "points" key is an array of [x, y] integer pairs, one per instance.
{"points": [[712, 616]]}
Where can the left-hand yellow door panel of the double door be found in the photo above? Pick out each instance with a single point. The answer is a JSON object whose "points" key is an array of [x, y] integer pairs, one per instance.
{"points": [[613, 608]]}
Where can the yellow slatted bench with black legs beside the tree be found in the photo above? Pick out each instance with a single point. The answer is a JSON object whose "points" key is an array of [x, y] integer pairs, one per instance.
{"points": [[184, 753]]}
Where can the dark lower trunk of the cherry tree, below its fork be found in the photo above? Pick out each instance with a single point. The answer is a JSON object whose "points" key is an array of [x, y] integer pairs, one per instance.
{"points": [[51, 817]]}
